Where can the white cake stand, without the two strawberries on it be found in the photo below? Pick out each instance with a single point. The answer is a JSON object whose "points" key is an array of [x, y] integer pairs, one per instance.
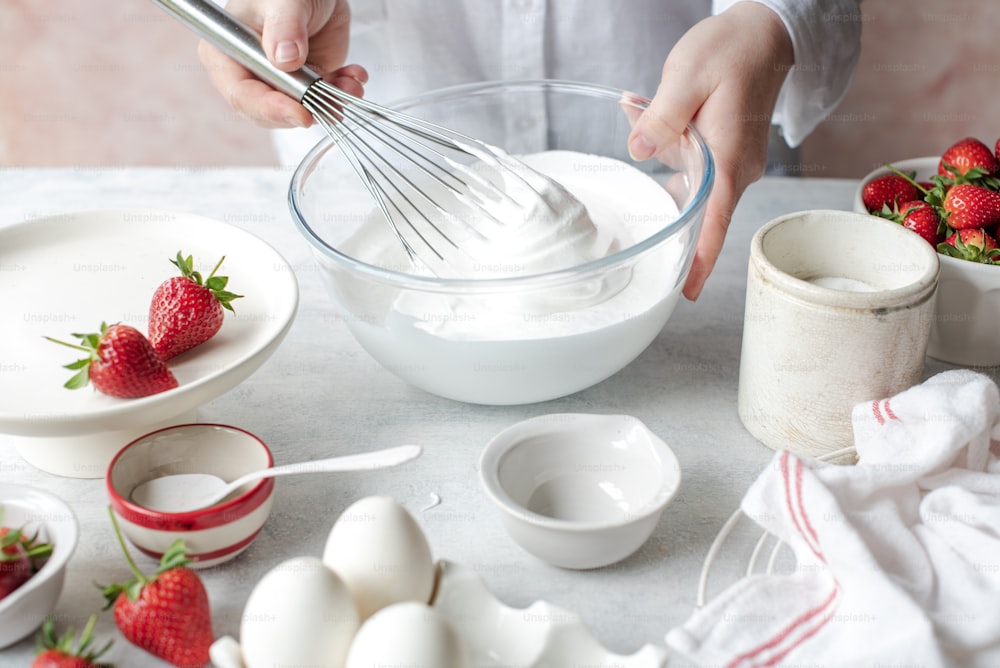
{"points": [[67, 273]]}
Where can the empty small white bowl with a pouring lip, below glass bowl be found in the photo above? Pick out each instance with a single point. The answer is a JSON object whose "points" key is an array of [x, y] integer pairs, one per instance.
{"points": [[579, 490]]}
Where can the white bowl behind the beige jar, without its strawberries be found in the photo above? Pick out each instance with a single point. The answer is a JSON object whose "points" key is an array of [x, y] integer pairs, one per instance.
{"points": [[967, 306]]}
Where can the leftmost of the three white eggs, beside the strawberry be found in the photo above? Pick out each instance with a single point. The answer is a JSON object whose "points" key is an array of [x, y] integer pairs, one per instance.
{"points": [[299, 614]]}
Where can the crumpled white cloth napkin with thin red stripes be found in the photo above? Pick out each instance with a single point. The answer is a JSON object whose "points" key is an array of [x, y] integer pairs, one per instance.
{"points": [[898, 557]]}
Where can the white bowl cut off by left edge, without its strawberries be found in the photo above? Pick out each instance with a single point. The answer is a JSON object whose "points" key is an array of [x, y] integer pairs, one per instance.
{"points": [[26, 608]]}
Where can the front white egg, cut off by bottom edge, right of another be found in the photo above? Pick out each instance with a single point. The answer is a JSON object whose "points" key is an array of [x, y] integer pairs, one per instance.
{"points": [[406, 634]]}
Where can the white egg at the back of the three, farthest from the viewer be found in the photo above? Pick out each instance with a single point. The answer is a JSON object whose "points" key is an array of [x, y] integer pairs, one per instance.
{"points": [[381, 553]]}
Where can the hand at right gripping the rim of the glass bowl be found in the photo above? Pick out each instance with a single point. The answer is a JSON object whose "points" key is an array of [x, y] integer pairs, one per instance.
{"points": [[724, 76]]}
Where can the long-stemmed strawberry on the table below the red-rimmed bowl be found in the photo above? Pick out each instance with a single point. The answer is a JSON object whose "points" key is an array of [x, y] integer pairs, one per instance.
{"points": [[167, 614]]}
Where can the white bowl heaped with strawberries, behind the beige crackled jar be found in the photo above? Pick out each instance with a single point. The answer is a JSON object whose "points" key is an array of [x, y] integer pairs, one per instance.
{"points": [[953, 201]]}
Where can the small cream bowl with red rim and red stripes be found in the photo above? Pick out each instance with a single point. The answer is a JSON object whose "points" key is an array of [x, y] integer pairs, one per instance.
{"points": [[212, 535]]}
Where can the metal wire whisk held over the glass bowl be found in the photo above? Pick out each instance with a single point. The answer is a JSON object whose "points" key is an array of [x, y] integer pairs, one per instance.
{"points": [[420, 174]]}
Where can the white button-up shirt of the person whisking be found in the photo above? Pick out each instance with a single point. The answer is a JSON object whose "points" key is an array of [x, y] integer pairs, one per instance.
{"points": [[410, 47]]}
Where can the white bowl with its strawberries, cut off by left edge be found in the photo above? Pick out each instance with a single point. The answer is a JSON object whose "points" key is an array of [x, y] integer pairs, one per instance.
{"points": [[38, 534]]}
